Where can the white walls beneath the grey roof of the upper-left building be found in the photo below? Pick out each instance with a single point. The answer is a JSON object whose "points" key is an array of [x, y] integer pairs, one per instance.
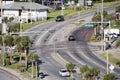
{"points": [[35, 15]]}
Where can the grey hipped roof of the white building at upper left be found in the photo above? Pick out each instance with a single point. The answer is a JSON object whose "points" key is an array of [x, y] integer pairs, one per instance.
{"points": [[26, 5]]}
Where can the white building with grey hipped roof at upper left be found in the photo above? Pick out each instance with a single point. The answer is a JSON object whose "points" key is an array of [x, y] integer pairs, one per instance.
{"points": [[25, 11]]}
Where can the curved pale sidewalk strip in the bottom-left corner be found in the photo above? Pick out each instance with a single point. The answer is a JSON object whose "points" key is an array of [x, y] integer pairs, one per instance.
{"points": [[13, 73]]}
